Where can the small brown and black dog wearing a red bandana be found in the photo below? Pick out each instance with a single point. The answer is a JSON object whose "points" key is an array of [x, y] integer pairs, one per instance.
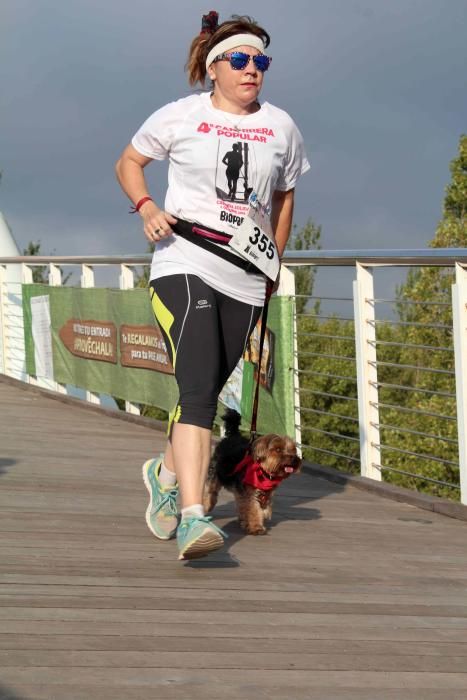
{"points": [[251, 473]]}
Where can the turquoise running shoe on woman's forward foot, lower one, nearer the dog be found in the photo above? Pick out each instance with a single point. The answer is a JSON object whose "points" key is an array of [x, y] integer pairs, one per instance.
{"points": [[197, 536]]}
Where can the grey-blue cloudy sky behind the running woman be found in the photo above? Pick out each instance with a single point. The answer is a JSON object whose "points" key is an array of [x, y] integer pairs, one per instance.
{"points": [[377, 88]]}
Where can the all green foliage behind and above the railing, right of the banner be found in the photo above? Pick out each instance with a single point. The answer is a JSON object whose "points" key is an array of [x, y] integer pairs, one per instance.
{"points": [[414, 351]]}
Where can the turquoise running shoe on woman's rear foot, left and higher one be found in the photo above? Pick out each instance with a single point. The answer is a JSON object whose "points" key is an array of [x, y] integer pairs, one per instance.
{"points": [[161, 513]]}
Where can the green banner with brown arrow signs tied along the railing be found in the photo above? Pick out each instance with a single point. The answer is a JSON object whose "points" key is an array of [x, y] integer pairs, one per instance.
{"points": [[106, 341]]}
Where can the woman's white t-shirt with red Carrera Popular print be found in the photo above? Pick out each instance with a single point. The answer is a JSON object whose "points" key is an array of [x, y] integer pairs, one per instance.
{"points": [[216, 159]]}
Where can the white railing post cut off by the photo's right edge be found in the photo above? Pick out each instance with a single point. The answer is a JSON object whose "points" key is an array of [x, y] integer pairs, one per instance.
{"points": [[459, 319]]}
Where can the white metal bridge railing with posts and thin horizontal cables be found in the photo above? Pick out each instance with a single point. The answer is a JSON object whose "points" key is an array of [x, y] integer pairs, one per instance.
{"points": [[385, 396]]}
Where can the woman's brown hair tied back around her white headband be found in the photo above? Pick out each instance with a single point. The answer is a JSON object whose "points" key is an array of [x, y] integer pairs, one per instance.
{"points": [[211, 34]]}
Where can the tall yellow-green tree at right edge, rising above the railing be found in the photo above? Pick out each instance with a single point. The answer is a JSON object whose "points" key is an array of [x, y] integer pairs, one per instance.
{"points": [[424, 307]]}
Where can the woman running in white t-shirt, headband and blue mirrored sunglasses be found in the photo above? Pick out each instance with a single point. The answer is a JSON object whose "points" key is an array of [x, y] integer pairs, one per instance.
{"points": [[211, 259]]}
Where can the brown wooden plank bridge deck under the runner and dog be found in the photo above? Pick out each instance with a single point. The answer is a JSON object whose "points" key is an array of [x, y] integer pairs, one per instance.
{"points": [[350, 596]]}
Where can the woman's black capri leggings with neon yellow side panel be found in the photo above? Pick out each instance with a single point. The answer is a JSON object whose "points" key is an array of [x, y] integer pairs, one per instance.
{"points": [[206, 334]]}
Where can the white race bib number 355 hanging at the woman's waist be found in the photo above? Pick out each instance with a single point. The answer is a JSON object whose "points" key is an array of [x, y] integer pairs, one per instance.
{"points": [[256, 245]]}
